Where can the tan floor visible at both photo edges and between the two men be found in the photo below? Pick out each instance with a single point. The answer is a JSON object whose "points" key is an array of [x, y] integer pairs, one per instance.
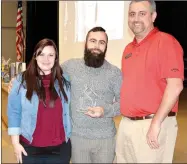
{"points": [[180, 155]]}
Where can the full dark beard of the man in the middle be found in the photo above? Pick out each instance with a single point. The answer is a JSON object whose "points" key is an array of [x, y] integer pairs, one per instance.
{"points": [[93, 59]]}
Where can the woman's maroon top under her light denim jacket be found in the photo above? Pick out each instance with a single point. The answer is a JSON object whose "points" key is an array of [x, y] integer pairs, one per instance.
{"points": [[49, 126]]}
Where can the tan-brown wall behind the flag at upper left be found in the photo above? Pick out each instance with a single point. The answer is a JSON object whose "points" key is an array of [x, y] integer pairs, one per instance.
{"points": [[8, 27]]}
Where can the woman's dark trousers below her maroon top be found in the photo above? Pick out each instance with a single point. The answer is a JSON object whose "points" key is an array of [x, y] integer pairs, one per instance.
{"points": [[47, 155]]}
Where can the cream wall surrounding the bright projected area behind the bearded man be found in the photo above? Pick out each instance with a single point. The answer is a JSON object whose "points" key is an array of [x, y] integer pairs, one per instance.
{"points": [[69, 49]]}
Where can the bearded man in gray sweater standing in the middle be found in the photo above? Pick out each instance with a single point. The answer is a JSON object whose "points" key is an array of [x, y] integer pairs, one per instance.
{"points": [[95, 95]]}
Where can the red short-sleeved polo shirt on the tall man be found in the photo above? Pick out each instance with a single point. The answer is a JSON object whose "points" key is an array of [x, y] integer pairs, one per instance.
{"points": [[145, 67]]}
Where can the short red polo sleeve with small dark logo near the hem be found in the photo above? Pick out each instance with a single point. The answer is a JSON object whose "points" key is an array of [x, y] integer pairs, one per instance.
{"points": [[171, 58]]}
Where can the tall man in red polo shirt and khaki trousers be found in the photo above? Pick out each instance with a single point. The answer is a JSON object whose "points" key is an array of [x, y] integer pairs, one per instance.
{"points": [[153, 73]]}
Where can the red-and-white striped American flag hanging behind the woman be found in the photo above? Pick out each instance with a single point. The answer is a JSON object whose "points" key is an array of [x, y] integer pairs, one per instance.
{"points": [[20, 40]]}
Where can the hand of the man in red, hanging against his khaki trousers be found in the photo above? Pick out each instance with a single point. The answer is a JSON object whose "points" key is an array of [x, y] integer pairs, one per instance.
{"points": [[152, 135]]}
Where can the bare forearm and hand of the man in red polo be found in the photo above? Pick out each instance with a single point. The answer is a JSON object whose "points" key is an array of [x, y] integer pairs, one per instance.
{"points": [[170, 97]]}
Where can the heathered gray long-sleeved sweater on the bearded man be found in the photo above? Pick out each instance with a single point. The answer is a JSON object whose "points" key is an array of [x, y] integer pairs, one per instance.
{"points": [[93, 87]]}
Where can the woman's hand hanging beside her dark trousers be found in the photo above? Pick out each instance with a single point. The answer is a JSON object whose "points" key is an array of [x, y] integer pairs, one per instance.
{"points": [[18, 150]]}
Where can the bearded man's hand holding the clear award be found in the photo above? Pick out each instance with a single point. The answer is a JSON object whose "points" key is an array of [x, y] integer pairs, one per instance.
{"points": [[95, 112]]}
